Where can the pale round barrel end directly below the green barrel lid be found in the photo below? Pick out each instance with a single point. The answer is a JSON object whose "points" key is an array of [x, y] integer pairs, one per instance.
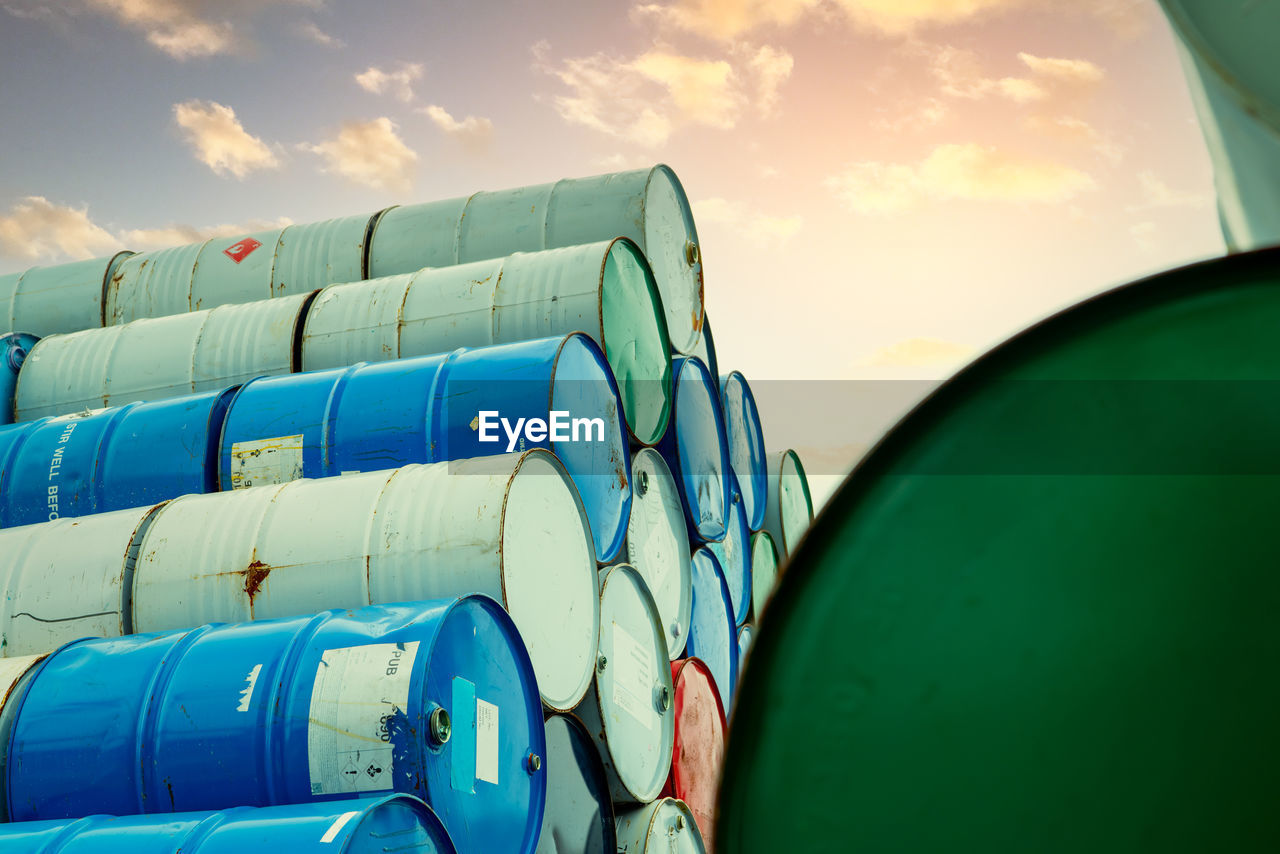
{"points": [[659, 545]]}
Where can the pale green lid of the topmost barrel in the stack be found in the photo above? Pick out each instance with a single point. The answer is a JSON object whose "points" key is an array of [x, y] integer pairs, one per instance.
{"points": [[671, 246]]}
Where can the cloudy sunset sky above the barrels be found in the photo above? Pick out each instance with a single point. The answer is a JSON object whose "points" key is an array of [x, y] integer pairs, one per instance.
{"points": [[883, 189]]}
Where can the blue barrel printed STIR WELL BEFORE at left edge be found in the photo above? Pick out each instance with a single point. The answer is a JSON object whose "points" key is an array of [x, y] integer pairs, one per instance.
{"points": [[126, 456]]}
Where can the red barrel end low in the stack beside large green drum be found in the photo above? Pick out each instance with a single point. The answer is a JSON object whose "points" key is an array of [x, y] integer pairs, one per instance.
{"points": [[696, 764]]}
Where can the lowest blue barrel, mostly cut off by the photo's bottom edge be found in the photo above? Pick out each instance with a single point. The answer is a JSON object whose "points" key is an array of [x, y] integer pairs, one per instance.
{"points": [[362, 826]]}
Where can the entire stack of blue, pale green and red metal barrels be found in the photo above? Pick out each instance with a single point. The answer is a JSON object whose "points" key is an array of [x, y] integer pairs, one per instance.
{"points": [[446, 504]]}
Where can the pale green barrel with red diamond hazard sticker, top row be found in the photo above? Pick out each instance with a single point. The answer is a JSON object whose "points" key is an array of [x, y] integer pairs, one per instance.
{"points": [[243, 268]]}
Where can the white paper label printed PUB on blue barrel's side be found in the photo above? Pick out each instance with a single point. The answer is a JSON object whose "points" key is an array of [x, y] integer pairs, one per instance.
{"points": [[359, 691]]}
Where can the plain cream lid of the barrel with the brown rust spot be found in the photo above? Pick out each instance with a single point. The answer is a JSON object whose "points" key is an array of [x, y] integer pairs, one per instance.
{"points": [[548, 578]]}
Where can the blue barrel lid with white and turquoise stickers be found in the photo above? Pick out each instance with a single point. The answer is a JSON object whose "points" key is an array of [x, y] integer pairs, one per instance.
{"points": [[482, 778]]}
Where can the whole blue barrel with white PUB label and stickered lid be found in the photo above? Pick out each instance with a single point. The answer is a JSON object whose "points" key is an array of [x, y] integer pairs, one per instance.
{"points": [[433, 700]]}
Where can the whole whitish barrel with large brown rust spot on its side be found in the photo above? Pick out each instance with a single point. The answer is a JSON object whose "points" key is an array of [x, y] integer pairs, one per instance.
{"points": [[510, 527]]}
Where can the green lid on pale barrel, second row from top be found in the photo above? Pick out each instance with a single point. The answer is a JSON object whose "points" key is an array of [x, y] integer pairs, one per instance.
{"points": [[636, 340]]}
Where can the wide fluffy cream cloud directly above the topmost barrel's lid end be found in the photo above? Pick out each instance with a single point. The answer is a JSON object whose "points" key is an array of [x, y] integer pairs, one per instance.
{"points": [[646, 99]]}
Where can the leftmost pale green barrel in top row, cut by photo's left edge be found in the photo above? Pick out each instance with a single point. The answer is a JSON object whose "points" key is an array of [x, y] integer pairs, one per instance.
{"points": [[51, 300]]}
